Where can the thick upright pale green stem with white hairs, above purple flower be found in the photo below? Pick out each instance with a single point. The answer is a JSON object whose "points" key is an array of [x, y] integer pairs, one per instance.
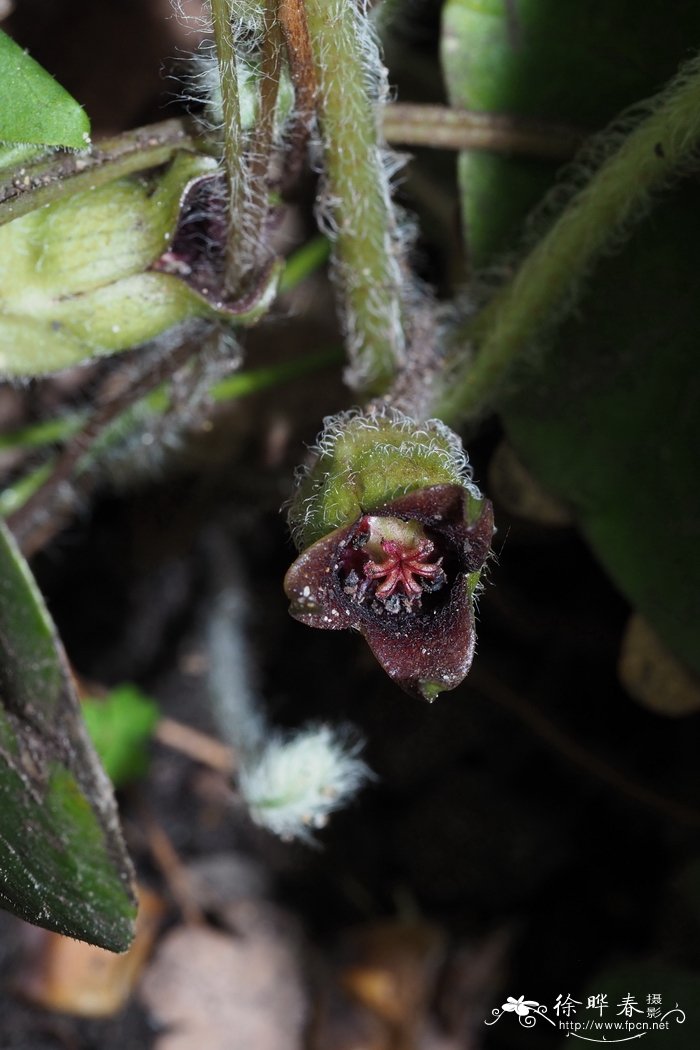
{"points": [[350, 82]]}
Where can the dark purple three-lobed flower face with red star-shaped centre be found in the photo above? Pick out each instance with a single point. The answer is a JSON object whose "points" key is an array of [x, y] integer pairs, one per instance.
{"points": [[405, 576]]}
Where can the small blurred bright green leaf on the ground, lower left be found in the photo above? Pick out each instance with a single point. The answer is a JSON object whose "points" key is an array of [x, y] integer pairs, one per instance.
{"points": [[120, 726]]}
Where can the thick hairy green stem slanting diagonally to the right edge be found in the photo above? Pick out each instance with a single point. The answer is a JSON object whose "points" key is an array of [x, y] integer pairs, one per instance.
{"points": [[550, 277]]}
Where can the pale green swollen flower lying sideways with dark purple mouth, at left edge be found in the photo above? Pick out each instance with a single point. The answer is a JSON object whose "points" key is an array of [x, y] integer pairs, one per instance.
{"points": [[98, 272]]}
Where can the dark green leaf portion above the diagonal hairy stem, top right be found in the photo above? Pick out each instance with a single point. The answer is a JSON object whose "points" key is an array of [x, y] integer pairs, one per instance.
{"points": [[578, 65]]}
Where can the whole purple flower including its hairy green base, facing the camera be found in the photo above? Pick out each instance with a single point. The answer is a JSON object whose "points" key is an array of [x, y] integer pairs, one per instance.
{"points": [[401, 571]]}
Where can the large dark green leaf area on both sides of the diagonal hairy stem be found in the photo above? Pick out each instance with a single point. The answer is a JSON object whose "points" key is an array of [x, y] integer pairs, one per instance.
{"points": [[607, 419]]}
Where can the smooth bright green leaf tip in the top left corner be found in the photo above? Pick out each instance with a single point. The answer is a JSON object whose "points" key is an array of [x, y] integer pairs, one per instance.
{"points": [[34, 108]]}
